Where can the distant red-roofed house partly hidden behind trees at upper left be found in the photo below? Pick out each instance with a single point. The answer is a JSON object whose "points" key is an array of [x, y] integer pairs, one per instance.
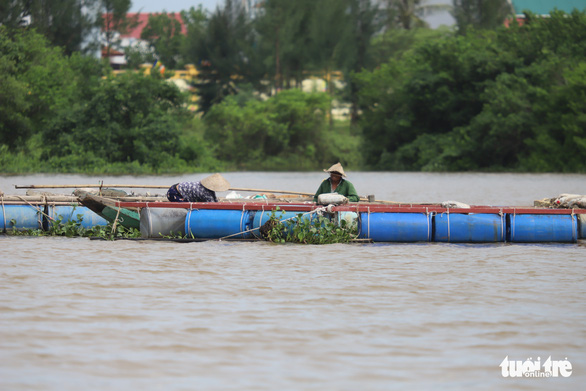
{"points": [[131, 38]]}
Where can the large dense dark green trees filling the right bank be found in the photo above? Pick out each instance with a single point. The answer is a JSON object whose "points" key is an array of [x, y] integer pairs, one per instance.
{"points": [[501, 100]]}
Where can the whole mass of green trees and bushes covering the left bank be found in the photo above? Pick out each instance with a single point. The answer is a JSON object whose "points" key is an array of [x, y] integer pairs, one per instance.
{"points": [[57, 114]]}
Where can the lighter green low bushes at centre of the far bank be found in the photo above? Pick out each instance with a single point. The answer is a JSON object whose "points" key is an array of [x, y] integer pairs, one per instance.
{"points": [[288, 124]]}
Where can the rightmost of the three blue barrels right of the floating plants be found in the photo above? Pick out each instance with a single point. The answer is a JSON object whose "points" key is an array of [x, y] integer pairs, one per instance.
{"points": [[543, 228]]}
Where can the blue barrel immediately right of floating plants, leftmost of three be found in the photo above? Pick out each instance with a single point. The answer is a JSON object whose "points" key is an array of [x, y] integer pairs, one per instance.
{"points": [[395, 227]]}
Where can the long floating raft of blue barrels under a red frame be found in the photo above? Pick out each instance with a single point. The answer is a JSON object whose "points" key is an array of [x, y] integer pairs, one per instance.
{"points": [[375, 222]]}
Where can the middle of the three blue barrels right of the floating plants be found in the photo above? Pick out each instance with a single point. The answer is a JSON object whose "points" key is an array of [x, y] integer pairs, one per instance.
{"points": [[469, 228]]}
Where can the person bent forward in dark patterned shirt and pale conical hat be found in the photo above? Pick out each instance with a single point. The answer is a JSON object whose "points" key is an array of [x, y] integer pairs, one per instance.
{"points": [[202, 191]]}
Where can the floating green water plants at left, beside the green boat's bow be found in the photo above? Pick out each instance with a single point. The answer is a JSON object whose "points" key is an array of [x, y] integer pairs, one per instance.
{"points": [[74, 228]]}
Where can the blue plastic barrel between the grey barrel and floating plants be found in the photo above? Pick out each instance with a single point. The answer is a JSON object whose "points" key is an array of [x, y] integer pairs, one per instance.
{"points": [[214, 223]]}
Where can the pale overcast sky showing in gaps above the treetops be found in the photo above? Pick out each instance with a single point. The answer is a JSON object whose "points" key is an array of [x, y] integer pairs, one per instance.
{"points": [[210, 5]]}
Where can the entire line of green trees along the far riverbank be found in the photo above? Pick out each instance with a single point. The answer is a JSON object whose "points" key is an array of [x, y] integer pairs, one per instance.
{"points": [[475, 97]]}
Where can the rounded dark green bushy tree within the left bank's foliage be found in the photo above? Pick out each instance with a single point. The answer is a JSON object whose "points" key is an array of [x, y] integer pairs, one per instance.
{"points": [[129, 118]]}
